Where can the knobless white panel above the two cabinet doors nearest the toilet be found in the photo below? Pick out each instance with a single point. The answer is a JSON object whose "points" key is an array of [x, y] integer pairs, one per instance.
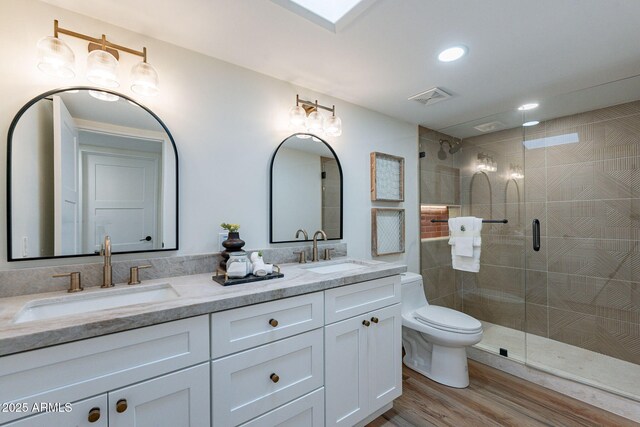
{"points": [[353, 300]]}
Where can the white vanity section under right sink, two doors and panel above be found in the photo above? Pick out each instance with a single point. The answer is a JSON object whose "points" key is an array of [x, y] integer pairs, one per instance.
{"points": [[363, 368]]}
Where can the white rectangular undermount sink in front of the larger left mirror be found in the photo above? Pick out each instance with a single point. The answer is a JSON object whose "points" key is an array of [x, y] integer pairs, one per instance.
{"points": [[49, 308]]}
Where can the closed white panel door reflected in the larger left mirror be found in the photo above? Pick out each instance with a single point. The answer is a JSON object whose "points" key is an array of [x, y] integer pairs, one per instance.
{"points": [[121, 199]]}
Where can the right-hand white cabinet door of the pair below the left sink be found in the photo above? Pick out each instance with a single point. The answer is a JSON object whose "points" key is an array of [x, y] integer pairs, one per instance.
{"points": [[180, 399]]}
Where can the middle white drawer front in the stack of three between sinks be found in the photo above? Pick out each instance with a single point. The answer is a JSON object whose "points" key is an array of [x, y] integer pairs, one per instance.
{"points": [[245, 384]]}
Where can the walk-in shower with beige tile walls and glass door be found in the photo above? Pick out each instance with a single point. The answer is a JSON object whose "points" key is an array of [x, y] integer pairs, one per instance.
{"points": [[571, 308]]}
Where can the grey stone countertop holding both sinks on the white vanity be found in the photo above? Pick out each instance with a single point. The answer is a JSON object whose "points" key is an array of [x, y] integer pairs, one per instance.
{"points": [[198, 294]]}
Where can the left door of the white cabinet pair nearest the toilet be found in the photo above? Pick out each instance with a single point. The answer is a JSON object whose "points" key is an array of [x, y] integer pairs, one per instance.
{"points": [[346, 371]]}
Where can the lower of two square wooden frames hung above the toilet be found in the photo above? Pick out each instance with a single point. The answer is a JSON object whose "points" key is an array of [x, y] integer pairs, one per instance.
{"points": [[387, 231]]}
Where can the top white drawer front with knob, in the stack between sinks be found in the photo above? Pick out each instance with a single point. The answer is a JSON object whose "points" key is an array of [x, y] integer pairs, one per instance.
{"points": [[246, 327]]}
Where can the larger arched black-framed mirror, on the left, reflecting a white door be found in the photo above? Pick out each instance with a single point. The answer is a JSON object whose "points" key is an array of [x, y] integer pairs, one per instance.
{"points": [[83, 163]]}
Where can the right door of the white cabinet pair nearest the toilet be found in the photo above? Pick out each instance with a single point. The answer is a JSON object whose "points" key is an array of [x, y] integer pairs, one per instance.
{"points": [[385, 356]]}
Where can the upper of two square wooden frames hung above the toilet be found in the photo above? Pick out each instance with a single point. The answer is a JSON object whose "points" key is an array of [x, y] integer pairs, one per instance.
{"points": [[387, 177]]}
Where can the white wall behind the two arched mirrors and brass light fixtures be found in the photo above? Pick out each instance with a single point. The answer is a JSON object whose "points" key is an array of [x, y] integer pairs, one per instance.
{"points": [[226, 121]]}
